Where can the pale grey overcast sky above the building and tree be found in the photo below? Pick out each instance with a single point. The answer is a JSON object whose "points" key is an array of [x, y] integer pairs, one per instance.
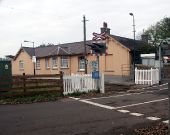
{"points": [[60, 21]]}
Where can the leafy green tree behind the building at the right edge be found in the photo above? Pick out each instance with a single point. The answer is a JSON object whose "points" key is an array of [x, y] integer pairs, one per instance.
{"points": [[159, 31]]}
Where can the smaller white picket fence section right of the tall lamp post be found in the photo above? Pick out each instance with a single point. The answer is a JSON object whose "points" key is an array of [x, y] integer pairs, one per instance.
{"points": [[147, 77]]}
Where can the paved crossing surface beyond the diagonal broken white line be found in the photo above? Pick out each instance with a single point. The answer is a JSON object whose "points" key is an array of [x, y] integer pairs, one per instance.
{"points": [[149, 103]]}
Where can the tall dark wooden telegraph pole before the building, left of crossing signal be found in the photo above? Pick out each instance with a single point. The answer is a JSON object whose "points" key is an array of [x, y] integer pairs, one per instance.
{"points": [[85, 50]]}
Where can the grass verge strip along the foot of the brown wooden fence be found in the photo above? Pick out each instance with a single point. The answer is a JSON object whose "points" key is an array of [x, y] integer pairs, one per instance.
{"points": [[29, 97]]}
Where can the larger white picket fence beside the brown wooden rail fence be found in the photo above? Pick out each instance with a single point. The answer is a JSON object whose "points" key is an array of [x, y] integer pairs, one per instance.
{"points": [[81, 83]]}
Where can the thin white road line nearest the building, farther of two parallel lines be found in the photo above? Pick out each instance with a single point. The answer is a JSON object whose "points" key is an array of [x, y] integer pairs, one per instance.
{"points": [[127, 94]]}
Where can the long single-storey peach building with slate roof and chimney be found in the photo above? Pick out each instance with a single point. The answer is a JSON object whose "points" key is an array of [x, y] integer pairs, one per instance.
{"points": [[69, 57]]}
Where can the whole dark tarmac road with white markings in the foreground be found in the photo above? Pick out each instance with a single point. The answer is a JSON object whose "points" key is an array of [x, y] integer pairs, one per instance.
{"points": [[97, 116]]}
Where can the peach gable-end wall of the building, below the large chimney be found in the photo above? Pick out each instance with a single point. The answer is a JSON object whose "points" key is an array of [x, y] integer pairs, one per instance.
{"points": [[118, 56]]}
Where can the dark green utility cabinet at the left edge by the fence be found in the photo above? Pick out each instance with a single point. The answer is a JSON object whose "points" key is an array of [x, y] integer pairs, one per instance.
{"points": [[5, 75]]}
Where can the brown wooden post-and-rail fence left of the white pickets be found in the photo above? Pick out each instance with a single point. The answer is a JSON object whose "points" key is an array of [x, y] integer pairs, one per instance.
{"points": [[31, 82]]}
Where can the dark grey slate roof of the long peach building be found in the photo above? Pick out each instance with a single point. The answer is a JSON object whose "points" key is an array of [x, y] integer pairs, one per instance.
{"points": [[75, 48]]}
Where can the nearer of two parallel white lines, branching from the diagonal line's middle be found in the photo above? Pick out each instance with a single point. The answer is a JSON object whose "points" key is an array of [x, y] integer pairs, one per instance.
{"points": [[152, 101]]}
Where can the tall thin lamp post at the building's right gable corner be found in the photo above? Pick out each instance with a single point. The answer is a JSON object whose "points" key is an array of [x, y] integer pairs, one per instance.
{"points": [[134, 48]]}
